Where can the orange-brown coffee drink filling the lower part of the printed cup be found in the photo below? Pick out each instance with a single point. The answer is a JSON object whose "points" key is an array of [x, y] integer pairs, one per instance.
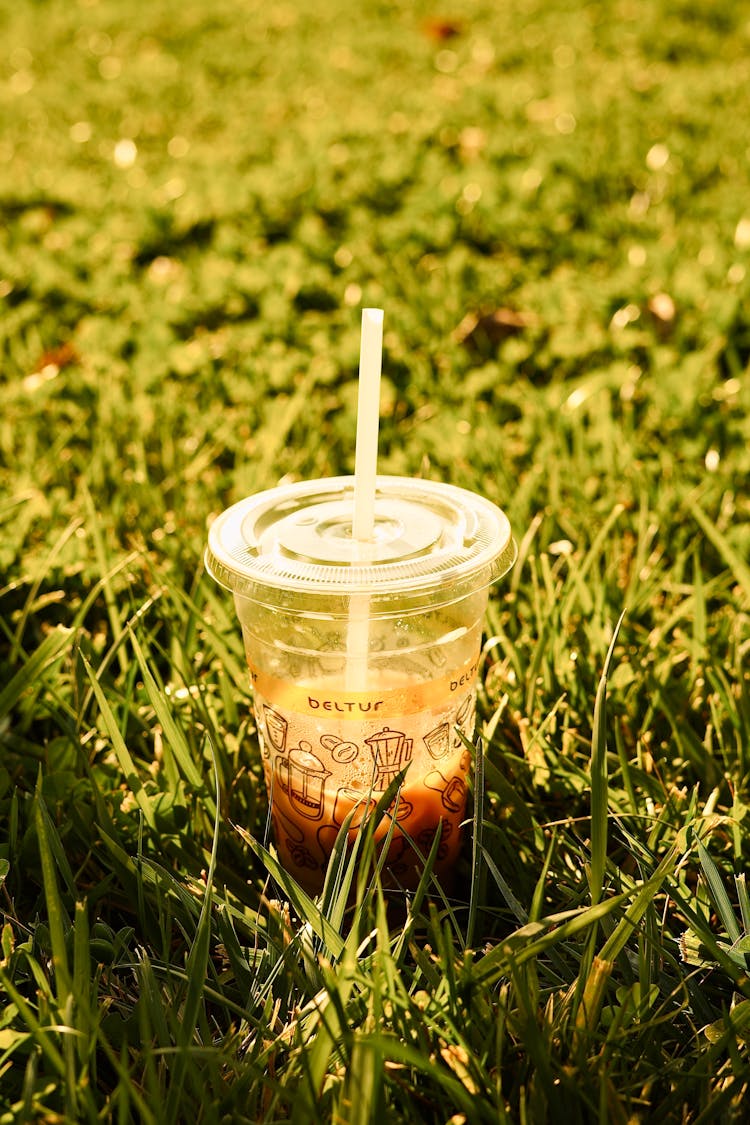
{"points": [[329, 753]]}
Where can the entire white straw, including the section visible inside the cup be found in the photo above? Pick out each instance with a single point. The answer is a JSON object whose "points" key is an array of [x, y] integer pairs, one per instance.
{"points": [[366, 467]]}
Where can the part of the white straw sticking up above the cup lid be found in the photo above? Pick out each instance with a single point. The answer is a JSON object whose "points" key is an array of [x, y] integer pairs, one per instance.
{"points": [[368, 418]]}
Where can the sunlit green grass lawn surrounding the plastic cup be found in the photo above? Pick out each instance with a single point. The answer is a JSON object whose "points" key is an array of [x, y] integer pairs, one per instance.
{"points": [[197, 200]]}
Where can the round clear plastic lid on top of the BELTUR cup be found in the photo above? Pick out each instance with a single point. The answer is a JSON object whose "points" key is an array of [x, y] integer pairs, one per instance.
{"points": [[299, 539]]}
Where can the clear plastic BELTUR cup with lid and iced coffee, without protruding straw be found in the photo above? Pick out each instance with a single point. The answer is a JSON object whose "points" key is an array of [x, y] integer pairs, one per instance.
{"points": [[364, 658]]}
